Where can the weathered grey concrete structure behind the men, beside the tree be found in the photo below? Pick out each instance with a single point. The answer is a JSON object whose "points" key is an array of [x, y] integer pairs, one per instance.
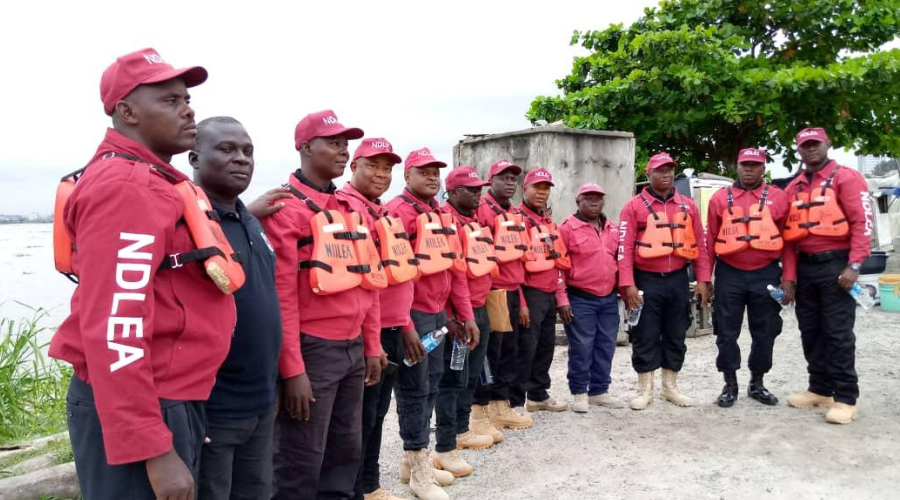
{"points": [[574, 156]]}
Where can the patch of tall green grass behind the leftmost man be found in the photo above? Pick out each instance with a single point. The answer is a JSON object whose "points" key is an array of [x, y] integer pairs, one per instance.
{"points": [[32, 386]]}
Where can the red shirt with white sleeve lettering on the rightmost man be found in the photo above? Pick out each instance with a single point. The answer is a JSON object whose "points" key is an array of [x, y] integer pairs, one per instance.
{"points": [[852, 193]]}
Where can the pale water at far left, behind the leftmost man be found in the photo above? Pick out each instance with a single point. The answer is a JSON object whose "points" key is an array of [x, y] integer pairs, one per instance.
{"points": [[28, 278]]}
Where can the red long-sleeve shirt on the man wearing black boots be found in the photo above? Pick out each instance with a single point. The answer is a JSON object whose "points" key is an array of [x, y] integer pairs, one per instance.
{"points": [[751, 258]]}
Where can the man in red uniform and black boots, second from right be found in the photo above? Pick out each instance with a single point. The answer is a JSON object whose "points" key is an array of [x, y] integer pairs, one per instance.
{"points": [[742, 277]]}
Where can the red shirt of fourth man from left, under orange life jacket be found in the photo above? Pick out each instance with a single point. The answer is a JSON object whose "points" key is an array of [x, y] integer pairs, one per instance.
{"points": [[395, 300]]}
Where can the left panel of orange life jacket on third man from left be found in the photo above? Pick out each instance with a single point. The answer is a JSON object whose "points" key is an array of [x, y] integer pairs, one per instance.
{"points": [[334, 265]]}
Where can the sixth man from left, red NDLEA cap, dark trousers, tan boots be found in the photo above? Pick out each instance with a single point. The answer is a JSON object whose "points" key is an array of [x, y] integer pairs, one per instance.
{"points": [[463, 194]]}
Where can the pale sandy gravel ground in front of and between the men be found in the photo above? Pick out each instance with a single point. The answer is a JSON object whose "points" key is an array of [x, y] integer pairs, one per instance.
{"points": [[747, 451]]}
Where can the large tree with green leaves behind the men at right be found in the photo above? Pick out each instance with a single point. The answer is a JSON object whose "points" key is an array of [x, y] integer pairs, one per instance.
{"points": [[703, 79]]}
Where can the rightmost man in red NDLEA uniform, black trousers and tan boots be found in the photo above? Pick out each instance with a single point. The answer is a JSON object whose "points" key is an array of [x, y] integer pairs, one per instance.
{"points": [[827, 269]]}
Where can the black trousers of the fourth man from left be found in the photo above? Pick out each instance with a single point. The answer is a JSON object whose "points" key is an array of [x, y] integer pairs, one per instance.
{"points": [[376, 403]]}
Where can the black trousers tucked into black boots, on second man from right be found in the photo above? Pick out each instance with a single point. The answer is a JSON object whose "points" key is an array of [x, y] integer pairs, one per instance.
{"points": [[737, 290]]}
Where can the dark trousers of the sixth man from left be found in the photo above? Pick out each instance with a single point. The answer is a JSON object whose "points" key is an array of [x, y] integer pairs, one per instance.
{"points": [[454, 403]]}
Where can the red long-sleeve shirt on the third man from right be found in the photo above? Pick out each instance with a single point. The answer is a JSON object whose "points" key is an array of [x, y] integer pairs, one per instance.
{"points": [[632, 221]]}
